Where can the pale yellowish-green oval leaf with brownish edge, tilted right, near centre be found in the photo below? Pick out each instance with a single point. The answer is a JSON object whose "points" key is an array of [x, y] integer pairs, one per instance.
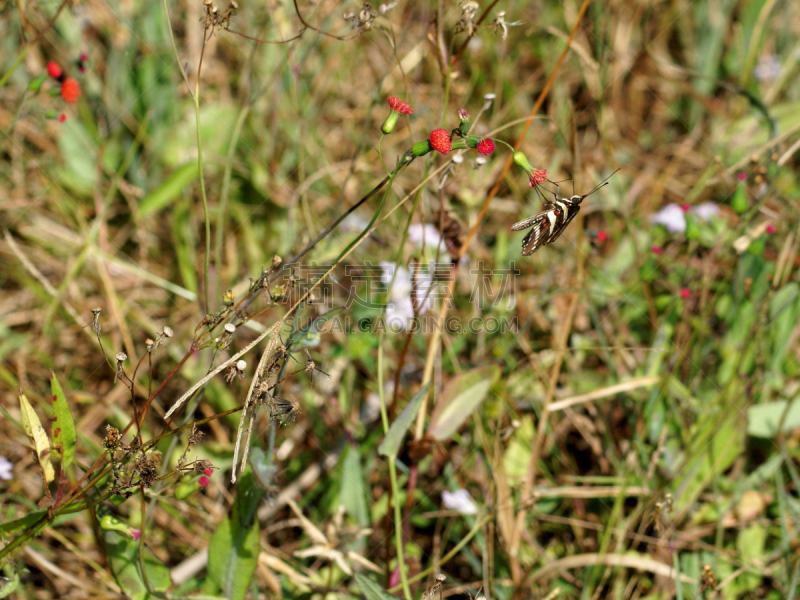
{"points": [[460, 398]]}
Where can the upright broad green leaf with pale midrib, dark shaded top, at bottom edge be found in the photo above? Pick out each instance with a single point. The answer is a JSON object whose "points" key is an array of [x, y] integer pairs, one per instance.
{"points": [[233, 551]]}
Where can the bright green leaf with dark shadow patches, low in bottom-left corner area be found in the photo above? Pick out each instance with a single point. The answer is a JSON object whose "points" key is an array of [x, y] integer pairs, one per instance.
{"points": [[122, 552]]}
